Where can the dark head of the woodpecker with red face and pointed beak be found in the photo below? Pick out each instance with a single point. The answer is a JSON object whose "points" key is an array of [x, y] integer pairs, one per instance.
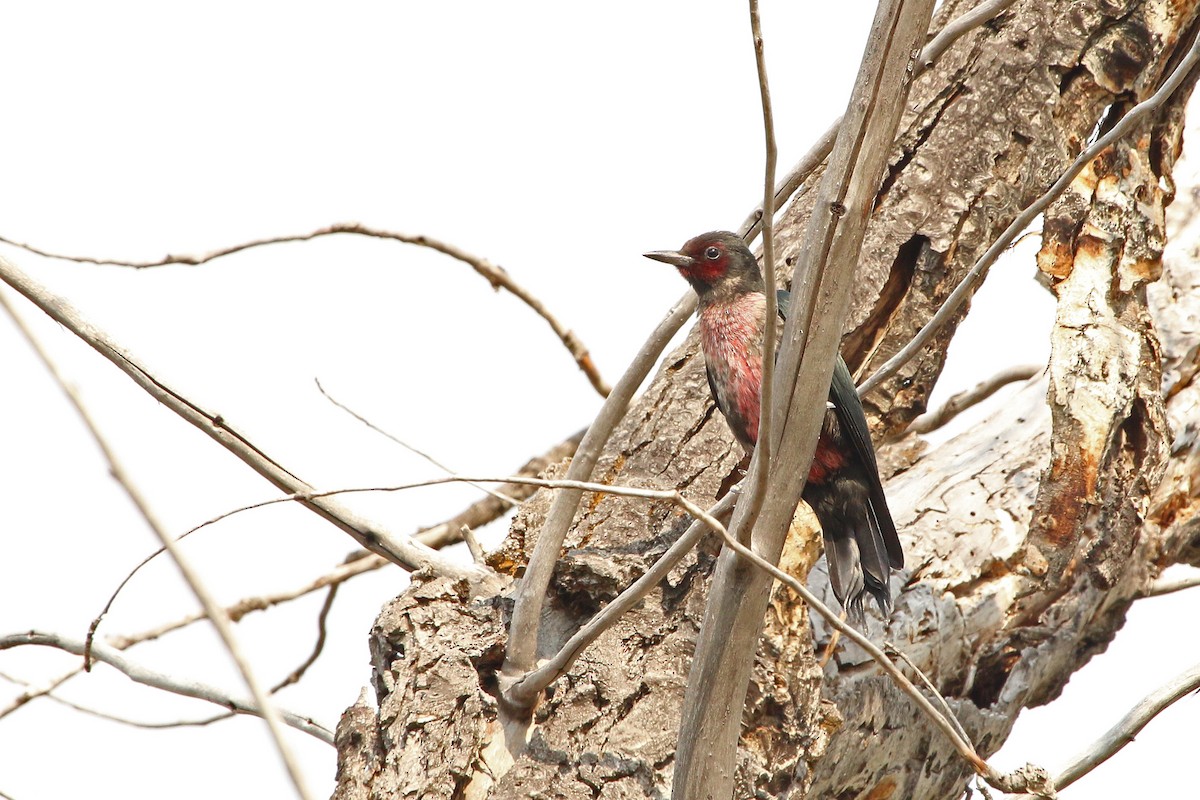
{"points": [[718, 266]]}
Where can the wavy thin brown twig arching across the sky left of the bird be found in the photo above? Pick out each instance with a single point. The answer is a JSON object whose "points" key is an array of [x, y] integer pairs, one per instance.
{"points": [[494, 274]]}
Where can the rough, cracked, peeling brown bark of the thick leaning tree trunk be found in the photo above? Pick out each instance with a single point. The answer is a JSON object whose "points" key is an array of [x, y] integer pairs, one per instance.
{"points": [[1028, 538]]}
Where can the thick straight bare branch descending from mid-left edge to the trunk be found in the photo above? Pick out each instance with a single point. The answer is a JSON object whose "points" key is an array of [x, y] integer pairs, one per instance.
{"points": [[375, 538]]}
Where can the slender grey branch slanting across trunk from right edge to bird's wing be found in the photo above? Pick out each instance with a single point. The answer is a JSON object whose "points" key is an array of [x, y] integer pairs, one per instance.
{"points": [[1129, 124]]}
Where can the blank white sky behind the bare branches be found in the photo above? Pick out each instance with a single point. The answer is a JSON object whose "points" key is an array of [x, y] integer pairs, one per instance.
{"points": [[557, 143]]}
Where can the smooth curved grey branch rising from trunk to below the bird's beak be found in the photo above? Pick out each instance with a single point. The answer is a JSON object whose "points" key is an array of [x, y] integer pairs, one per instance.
{"points": [[532, 592]]}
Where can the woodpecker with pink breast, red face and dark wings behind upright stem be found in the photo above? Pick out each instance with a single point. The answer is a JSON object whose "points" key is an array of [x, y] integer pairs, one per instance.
{"points": [[843, 488]]}
